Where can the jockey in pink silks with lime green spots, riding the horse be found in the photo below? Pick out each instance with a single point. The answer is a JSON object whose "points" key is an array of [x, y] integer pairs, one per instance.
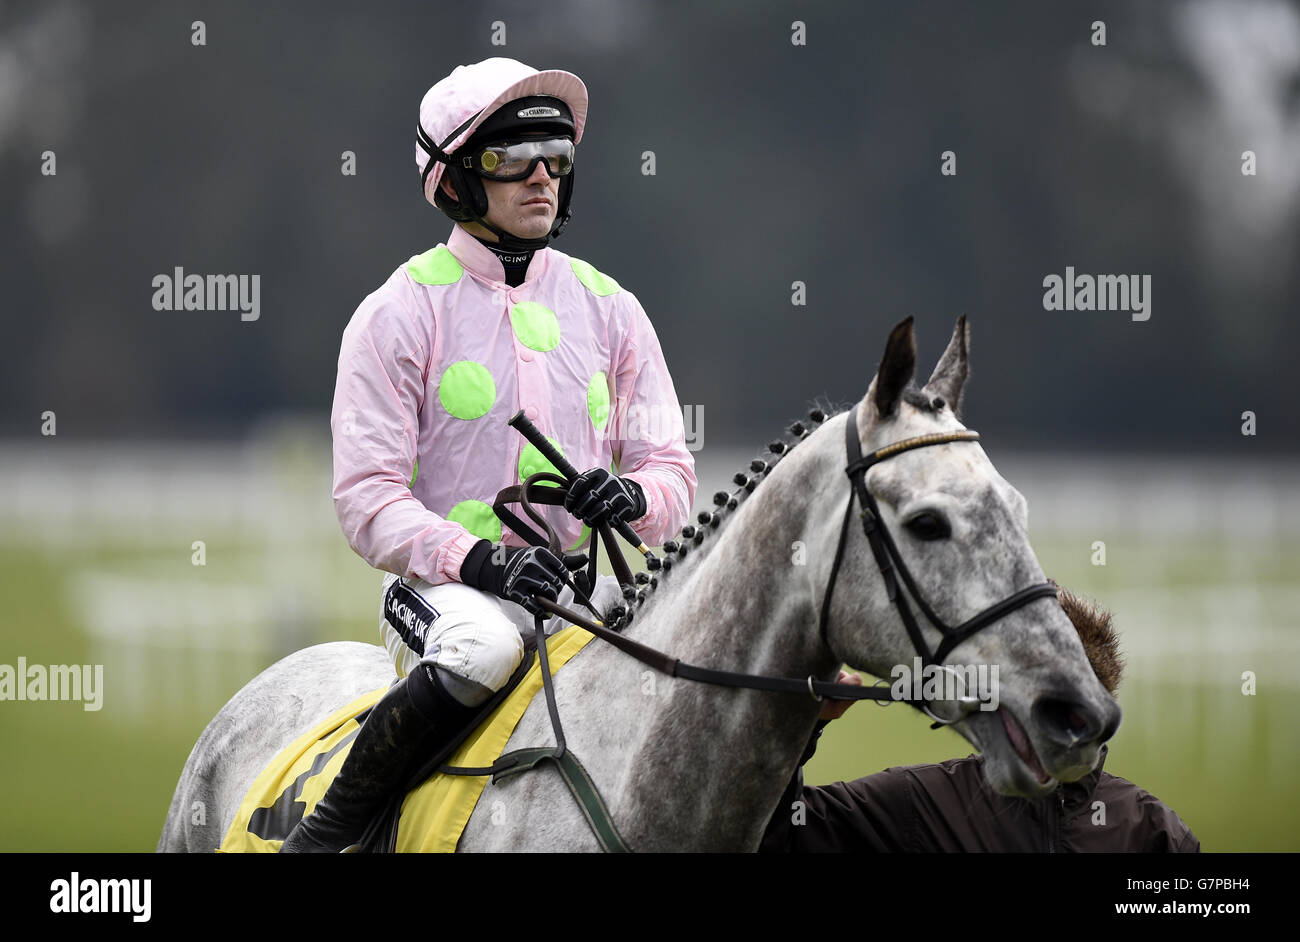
{"points": [[432, 366]]}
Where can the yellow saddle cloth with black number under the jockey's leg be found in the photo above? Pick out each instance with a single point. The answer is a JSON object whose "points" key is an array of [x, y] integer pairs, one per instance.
{"points": [[434, 815]]}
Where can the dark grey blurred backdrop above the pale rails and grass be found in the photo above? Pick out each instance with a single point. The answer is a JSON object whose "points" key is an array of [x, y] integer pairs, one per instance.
{"points": [[775, 163]]}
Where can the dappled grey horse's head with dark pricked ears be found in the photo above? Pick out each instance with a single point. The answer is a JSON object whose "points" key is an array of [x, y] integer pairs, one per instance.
{"points": [[960, 533]]}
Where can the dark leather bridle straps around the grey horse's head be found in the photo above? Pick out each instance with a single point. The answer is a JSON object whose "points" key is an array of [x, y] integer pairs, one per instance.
{"points": [[892, 567]]}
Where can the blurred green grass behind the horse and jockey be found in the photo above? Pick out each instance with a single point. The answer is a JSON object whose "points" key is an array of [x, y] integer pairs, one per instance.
{"points": [[94, 782]]}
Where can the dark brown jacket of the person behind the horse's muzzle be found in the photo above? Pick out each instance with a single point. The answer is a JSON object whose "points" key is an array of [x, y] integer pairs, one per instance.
{"points": [[951, 808]]}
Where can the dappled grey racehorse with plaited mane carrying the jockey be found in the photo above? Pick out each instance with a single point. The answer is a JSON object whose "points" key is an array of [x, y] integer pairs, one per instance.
{"points": [[691, 767]]}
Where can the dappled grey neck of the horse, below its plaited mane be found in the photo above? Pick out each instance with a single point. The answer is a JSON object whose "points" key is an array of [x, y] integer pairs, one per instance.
{"points": [[712, 762]]}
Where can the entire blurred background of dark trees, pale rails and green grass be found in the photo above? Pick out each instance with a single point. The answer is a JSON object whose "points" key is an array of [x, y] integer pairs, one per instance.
{"points": [[166, 476]]}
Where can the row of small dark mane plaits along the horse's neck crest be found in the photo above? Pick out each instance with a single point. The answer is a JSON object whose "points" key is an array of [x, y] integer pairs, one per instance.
{"points": [[675, 552]]}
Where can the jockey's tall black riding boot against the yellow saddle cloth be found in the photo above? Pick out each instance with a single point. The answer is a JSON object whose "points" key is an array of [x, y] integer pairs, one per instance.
{"points": [[417, 710]]}
